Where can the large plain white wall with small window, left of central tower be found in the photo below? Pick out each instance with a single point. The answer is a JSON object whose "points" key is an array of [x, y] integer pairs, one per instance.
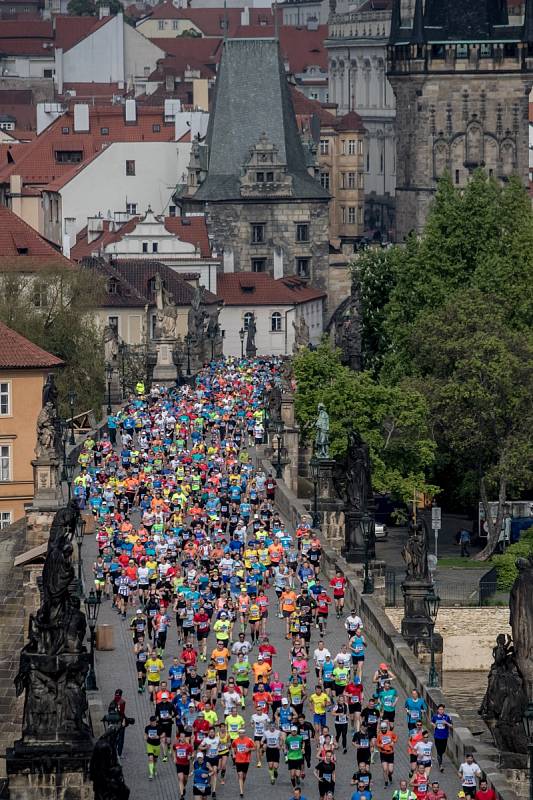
{"points": [[103, 186]]}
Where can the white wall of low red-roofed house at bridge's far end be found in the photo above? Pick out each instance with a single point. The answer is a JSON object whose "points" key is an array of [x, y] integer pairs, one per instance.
{"points": [[269, 342]]}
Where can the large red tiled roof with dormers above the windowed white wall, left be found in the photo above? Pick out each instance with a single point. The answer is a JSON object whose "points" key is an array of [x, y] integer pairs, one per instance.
{"points": [[37, 161]]}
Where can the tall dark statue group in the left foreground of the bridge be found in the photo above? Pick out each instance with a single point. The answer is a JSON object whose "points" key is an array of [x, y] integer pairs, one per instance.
{"points": [[54, 662]]}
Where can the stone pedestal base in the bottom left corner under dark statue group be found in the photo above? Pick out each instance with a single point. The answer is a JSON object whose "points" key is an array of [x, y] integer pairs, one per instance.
{"points": [[39, 772]]}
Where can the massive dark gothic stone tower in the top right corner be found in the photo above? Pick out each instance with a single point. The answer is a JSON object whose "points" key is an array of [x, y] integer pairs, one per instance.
{"points": [[462, 76]]}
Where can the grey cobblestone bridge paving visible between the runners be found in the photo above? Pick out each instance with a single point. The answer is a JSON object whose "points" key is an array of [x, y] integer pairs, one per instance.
{"points": [[116, 669]]}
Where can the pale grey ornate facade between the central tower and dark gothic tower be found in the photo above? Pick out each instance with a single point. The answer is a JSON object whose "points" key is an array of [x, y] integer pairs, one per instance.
{"points": [[357, 52]]}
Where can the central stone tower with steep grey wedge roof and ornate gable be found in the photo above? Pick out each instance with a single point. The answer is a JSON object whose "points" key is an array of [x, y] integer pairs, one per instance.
{"points": [[253, 176]]}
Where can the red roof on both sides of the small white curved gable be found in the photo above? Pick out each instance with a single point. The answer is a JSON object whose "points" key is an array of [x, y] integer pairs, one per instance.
{"points": [[193, 231]]}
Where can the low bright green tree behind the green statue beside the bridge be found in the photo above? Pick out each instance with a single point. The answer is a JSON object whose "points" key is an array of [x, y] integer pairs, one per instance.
{"points": [[392, 420]]}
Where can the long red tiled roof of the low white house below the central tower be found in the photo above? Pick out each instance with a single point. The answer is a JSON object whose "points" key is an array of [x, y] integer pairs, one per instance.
{"points": [[262, 289]]}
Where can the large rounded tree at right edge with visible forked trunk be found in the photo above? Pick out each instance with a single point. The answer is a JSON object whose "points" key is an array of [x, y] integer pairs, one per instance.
{"points": [[476, 372]]}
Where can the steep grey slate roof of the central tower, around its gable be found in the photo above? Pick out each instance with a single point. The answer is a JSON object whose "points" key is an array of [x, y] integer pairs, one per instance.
{"points": [[252, 98]]}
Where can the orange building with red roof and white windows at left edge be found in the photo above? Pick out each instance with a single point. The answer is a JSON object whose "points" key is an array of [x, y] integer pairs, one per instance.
{"points": [[23, 371]]}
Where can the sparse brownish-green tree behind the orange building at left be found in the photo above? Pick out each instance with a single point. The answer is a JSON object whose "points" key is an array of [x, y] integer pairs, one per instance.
{"points": [[57, 313]]}
